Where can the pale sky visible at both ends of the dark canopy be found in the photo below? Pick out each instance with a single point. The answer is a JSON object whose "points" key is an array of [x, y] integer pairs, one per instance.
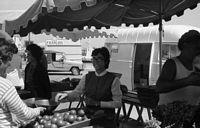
{"points": [[190, 17]]}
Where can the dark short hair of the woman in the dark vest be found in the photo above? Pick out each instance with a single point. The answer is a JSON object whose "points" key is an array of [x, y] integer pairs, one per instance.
{"points": [[105, 53]]}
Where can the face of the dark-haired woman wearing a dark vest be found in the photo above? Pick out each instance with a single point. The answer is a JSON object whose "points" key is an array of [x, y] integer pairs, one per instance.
{"points": [[98, 62]]}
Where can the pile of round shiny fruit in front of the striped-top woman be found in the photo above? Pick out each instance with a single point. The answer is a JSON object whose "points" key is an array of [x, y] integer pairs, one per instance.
{"points": [[57, 120]]}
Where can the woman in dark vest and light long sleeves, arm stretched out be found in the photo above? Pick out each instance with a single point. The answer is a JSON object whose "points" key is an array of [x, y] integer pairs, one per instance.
{"points": [[101, 89]]}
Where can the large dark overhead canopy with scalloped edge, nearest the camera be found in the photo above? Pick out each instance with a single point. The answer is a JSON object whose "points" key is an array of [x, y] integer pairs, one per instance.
{"points": [[70, 14]]}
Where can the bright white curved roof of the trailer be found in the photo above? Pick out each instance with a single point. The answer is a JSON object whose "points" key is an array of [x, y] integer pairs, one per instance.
{"points": [[171, 33]]}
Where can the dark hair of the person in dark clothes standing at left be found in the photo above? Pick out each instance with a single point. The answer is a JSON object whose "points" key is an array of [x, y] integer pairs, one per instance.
{"points": [[36, 51]]}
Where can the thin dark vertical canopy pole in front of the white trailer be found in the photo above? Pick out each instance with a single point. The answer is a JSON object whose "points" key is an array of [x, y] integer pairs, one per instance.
{"points": [[160, 37]]}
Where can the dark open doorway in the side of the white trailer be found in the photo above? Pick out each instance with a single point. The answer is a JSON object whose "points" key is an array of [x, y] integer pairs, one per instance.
{"points": [[141, 64]]}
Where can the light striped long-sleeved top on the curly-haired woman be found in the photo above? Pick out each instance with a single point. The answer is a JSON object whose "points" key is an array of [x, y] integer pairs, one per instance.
{"points": [[10, 102]]}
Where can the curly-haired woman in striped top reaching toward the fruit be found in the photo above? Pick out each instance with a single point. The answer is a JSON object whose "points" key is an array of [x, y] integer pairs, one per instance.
{"points": [[10, 102]]}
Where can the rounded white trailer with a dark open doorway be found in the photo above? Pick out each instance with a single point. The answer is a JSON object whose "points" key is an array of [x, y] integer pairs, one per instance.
{"points": [[135, 52]]}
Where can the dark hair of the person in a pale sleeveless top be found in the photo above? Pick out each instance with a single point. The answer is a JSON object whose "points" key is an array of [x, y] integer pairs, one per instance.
{"points": [[190, 37]]}
